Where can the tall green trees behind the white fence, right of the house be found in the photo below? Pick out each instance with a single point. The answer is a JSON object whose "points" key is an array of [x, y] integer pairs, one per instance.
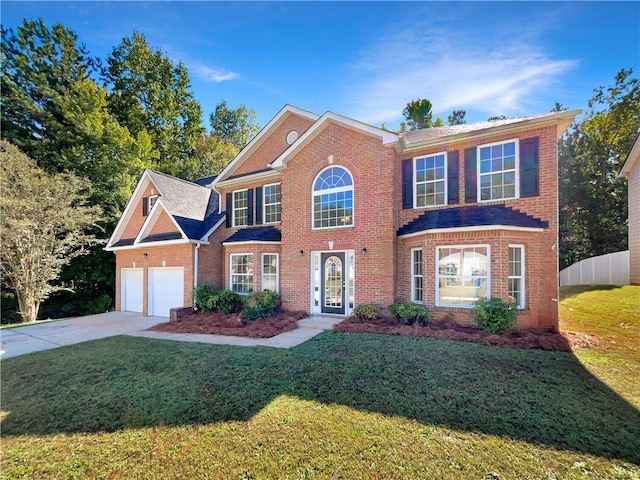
{"points": [[593, 200]]}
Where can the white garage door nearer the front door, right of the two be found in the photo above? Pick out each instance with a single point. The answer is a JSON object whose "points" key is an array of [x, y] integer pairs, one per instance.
{"points": [[166, 290]]}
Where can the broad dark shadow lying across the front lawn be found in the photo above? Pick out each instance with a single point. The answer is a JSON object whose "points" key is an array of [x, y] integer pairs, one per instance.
{"points": [[540, 397]]}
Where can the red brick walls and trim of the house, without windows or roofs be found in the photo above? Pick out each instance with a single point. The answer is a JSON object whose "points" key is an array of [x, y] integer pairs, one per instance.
{"points": [[377, 262]]}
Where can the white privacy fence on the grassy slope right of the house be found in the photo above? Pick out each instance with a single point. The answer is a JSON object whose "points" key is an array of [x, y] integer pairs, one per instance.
{"points": [[610, 269]]}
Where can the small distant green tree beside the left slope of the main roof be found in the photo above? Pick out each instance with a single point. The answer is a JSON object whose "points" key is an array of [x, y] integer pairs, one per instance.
{"points": [[236, 126]]}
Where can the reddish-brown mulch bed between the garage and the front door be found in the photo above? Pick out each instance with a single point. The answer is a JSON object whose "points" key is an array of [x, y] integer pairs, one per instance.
{"points": [[222, 324]]}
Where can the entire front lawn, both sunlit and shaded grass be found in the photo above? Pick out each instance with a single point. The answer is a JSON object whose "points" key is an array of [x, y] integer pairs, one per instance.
{"points": [[346, 406]]}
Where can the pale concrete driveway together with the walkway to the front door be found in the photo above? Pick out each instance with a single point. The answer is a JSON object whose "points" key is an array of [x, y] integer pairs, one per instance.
{"points": [[47, 335]]}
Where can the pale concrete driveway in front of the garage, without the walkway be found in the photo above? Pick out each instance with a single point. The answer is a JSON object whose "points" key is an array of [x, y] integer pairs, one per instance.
{"points": [[46, 335]]}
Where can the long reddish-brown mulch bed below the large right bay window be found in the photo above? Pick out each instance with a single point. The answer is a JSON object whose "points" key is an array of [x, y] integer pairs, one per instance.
{"points": [[450, 330]]}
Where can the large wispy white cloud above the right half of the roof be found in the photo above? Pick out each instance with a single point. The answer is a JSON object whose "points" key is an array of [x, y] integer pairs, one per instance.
{"points": [[491, 71]]}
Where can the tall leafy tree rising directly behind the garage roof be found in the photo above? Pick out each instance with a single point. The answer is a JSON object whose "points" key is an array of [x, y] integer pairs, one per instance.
{"points": [[149, 92]]}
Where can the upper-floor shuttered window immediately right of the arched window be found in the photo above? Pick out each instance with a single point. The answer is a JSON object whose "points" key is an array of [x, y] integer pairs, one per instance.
{"points": [[430, 174]]}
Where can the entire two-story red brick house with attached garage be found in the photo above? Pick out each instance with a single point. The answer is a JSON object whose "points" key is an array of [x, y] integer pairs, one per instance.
{"points": [[332, 212]]}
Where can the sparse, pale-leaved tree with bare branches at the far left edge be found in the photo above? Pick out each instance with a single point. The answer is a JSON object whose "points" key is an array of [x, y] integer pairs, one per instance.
{"points": [[44, 219]]}
